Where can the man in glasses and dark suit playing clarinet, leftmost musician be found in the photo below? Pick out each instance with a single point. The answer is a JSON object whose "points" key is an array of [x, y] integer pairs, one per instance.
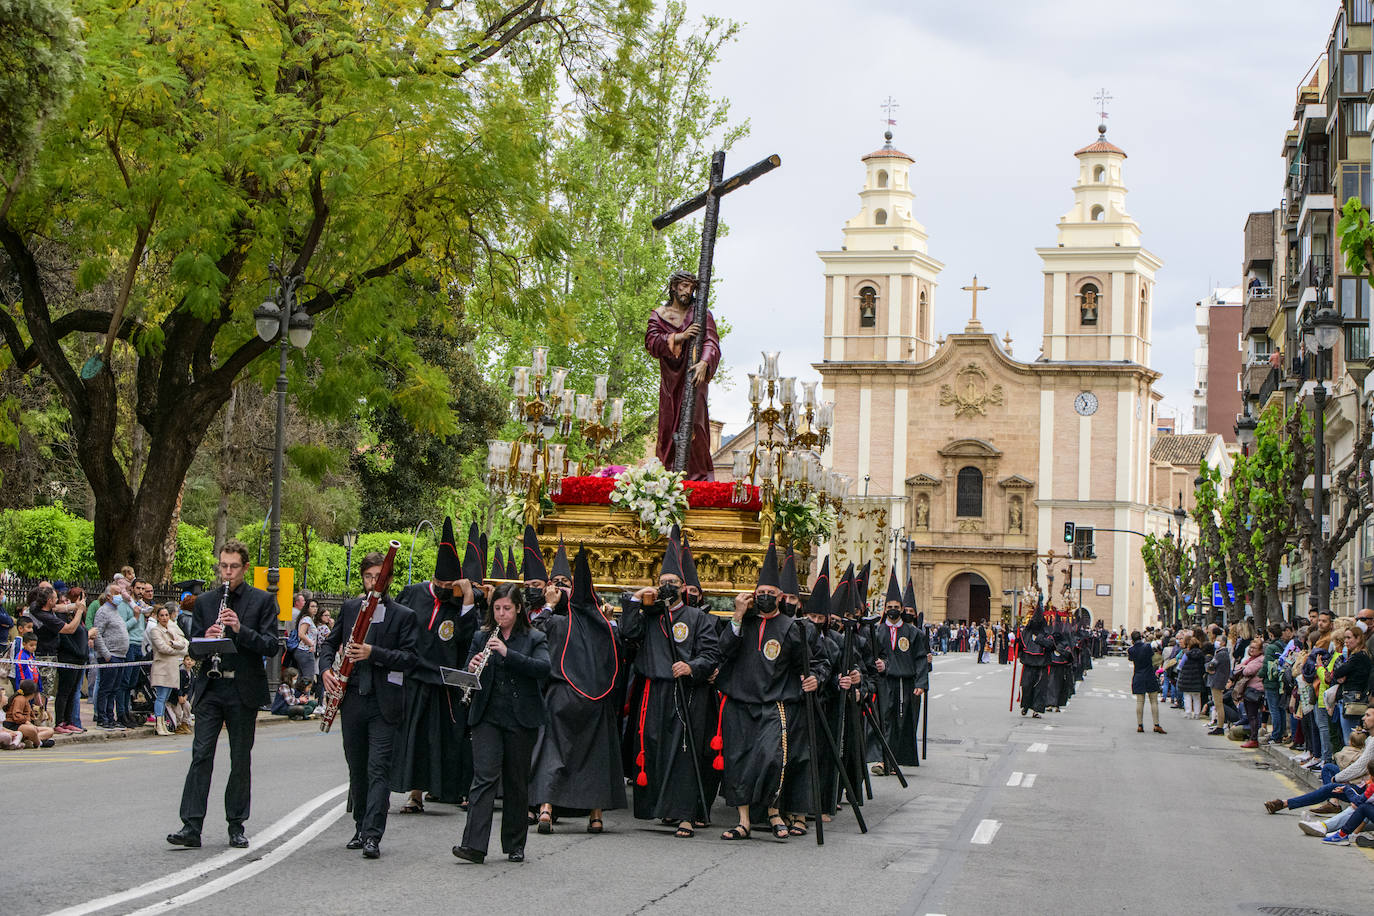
{"points": [[230, 701]]}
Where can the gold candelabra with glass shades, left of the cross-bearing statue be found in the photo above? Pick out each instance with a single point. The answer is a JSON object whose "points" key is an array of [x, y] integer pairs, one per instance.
{"points": [[534, 462]]}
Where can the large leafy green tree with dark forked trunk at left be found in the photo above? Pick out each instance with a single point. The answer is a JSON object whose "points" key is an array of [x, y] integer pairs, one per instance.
{"points": [[384, 152]]}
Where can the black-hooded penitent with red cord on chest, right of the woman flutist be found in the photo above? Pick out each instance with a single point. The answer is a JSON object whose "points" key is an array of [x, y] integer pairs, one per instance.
{"points": [[576, 762]]}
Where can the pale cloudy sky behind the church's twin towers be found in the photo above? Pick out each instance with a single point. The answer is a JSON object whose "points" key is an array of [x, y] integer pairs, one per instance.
{"points": [[995, 98]]}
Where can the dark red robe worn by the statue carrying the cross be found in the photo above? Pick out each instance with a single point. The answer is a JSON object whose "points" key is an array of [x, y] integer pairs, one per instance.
{"points": [[673, 369]]}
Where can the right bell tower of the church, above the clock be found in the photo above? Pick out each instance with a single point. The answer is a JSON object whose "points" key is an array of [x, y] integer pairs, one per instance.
{"points": [[1099, 279]]}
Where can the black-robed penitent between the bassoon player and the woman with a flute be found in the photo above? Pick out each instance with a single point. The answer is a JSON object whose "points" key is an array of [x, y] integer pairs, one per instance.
{"points": [[433, 752]]}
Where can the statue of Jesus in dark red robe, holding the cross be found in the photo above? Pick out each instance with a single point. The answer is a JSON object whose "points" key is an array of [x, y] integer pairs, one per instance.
{"points": [[670, 340]]}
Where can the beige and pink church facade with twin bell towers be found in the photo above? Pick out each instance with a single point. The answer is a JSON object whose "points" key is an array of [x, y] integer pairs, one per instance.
{"points": [[979, 458]]}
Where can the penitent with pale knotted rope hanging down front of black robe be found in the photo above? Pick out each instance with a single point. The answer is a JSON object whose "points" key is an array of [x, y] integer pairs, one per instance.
{"points": [[762, 668]]}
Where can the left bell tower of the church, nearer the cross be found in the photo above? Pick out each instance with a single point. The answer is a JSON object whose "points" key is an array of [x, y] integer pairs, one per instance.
{"points": [[881, 284]]}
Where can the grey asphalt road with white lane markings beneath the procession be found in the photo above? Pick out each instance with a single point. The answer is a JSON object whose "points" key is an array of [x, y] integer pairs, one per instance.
{"points": [[1074, 814]]}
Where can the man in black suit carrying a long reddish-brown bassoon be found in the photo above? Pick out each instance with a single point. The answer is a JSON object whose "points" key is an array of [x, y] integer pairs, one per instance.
{"points": [[373, 702]]}
